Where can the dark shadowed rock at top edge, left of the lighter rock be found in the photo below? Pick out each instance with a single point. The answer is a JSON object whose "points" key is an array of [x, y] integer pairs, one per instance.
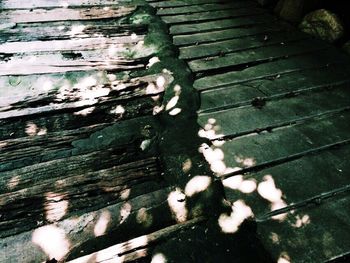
{"points": [[294, 10]]}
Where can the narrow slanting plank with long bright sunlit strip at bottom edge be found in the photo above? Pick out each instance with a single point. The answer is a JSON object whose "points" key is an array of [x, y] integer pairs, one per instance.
{"points": [[120, 251]]}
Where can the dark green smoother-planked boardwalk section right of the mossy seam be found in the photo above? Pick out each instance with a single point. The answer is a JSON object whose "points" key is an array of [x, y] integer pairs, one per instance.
{"points": [[275, 107]]}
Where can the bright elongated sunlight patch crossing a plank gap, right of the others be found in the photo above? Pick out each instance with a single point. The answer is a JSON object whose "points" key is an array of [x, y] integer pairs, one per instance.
{"points": [[268, 190]]}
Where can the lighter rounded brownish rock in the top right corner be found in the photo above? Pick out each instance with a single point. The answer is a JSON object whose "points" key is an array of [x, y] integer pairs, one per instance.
{"points": [[323, 24]]}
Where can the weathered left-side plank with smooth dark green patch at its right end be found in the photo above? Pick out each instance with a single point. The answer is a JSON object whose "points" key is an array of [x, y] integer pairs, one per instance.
{"points": [[72, 143]]}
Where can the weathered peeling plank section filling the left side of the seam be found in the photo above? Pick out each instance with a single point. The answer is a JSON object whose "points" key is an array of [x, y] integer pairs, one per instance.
{"points": [[76, 129]]}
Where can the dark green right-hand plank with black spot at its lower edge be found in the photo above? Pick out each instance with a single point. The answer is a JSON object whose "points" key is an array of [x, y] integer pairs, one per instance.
{"points": [[295, 82]]}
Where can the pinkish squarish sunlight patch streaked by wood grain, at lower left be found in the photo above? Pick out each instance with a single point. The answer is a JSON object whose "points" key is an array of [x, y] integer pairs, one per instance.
{"points": [[56, 206]]}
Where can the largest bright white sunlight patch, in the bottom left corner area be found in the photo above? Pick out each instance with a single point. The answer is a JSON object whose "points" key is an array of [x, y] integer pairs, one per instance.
{"points": [[52, 241]]}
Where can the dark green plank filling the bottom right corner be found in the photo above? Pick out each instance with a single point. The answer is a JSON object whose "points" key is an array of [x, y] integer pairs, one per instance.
{"points": [[324, 236]]}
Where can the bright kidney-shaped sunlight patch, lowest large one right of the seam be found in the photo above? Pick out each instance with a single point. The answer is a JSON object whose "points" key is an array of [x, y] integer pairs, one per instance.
{"points": [[231, 223]]}
